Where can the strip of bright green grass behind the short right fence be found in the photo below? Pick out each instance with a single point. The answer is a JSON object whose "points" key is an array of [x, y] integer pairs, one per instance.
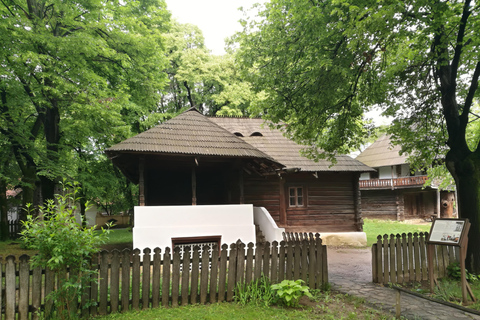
{"points": [[374, 228]]}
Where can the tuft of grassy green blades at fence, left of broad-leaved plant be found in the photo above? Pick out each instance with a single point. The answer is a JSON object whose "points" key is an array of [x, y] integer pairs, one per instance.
{"points": [[259, 293]]}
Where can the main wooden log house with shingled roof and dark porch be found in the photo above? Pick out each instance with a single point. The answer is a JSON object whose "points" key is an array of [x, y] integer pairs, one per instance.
{"points": [[197, 160]]}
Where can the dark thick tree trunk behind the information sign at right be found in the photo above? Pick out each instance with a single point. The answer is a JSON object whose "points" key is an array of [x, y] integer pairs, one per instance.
{"points": [[466, 173]]}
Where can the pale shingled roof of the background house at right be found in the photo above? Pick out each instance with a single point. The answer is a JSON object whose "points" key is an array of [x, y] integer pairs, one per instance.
{"points": [[382, 153]]}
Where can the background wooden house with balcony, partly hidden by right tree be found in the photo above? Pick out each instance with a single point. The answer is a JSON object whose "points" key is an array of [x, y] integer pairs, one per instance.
{"points": [[393, 191]]}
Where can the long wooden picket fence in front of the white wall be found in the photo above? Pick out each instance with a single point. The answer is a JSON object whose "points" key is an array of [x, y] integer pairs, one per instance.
{"points": [[131, 280]]}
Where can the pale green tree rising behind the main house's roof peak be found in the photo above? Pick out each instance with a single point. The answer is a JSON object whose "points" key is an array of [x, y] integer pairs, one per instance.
{"points": [[200, 79]]}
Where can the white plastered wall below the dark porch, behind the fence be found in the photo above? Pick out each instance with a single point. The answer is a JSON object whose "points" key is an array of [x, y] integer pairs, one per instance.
{"points": [[155, 226]]}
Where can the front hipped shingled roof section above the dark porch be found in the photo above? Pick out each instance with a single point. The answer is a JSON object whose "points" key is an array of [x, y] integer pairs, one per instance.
{"points": [[190, 133]]}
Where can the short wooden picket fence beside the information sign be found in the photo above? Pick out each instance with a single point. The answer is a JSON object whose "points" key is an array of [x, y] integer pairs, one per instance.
{"points": [[403, 258]]}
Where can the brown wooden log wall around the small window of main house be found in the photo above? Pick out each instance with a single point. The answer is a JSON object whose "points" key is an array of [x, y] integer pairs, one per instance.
{"points": [[329, 201]]}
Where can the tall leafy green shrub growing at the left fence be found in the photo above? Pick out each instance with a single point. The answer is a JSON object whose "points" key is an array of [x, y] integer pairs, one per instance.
{"points": [[62, 243]]}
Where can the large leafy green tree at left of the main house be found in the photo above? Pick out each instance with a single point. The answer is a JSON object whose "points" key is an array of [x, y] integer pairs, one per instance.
{"points": [[63, 63]]}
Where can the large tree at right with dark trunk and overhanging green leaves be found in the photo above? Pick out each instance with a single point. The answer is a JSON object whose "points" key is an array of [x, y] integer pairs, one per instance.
{"points": [[322, 64]]}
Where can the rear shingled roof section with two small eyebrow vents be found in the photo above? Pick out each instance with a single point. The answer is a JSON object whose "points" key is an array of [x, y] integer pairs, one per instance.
{"points": [[282, 149]]}
